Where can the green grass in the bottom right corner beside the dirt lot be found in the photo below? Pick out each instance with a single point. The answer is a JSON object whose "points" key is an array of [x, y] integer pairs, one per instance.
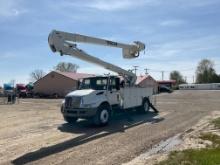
{"points": [[205, 156]]}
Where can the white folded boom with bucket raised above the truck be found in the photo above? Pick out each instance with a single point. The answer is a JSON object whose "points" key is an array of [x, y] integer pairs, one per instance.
{"points": [[65, 43]]}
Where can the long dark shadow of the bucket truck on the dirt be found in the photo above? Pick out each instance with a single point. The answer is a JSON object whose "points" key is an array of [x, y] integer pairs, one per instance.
{"points": [[119, 123]]}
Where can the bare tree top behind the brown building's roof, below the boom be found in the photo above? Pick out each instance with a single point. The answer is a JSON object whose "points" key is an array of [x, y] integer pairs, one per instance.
{"points": [[66, 67]]}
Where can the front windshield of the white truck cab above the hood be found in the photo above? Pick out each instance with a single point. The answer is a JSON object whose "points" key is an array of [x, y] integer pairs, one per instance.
{"points": [[96, 83]]}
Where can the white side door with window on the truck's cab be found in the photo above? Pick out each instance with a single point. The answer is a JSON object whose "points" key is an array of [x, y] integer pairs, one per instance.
{"points": [[113, 93]]}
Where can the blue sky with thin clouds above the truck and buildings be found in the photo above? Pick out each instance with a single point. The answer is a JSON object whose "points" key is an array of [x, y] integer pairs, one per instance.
{"points": [[177, 34]]}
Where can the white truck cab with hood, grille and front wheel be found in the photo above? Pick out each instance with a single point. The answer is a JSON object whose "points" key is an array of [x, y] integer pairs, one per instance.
{"points": [[94, 93]]}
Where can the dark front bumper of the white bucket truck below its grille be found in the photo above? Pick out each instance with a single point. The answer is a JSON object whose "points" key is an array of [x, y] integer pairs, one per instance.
{"points": [[79, 112]]}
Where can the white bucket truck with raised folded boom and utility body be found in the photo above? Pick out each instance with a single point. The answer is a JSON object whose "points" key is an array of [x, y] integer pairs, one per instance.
{"points": [[97, 97]]}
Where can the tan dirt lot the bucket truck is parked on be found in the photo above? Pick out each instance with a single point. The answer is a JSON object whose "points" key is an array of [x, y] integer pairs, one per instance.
{"points": [[34, 132]]}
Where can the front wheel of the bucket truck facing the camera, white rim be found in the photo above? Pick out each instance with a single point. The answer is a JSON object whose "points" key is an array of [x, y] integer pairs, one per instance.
{"points": [[102, 116]]}
